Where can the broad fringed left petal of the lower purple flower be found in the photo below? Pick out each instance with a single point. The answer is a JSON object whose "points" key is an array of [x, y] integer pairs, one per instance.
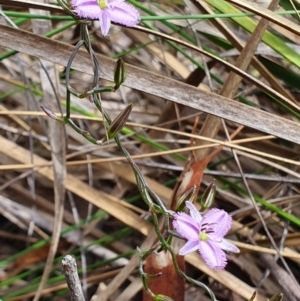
{"points": [[186, 226]]}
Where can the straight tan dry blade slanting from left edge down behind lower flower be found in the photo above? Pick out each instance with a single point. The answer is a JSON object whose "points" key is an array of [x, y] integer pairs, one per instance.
{"points": [[109, 204]]}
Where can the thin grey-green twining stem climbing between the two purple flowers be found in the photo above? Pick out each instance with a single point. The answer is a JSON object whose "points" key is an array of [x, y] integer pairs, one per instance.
{"points": [[152, 200]]}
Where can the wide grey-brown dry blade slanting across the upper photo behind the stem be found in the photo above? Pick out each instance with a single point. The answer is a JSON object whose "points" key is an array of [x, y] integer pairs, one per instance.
{"points": [[154, 84]]}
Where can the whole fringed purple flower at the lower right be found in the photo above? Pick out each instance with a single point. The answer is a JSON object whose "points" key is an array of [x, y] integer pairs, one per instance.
{"points": [[205, 234]]}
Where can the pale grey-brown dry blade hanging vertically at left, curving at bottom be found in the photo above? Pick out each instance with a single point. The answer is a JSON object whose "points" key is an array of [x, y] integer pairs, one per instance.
{"points": [[50, 86]]}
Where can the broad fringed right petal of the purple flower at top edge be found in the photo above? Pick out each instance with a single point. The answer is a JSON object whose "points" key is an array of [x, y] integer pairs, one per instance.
{"points": [[123, 13]]}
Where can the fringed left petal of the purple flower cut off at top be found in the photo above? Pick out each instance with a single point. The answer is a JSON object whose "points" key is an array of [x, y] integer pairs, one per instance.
{"points": [[87, 9]]}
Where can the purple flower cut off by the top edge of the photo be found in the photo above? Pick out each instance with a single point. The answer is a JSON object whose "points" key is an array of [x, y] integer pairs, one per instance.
{"points": [[106, 11]]}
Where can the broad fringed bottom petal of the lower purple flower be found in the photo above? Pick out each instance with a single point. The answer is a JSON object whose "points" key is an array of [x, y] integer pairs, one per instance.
{"points": [[213, 256]]}
